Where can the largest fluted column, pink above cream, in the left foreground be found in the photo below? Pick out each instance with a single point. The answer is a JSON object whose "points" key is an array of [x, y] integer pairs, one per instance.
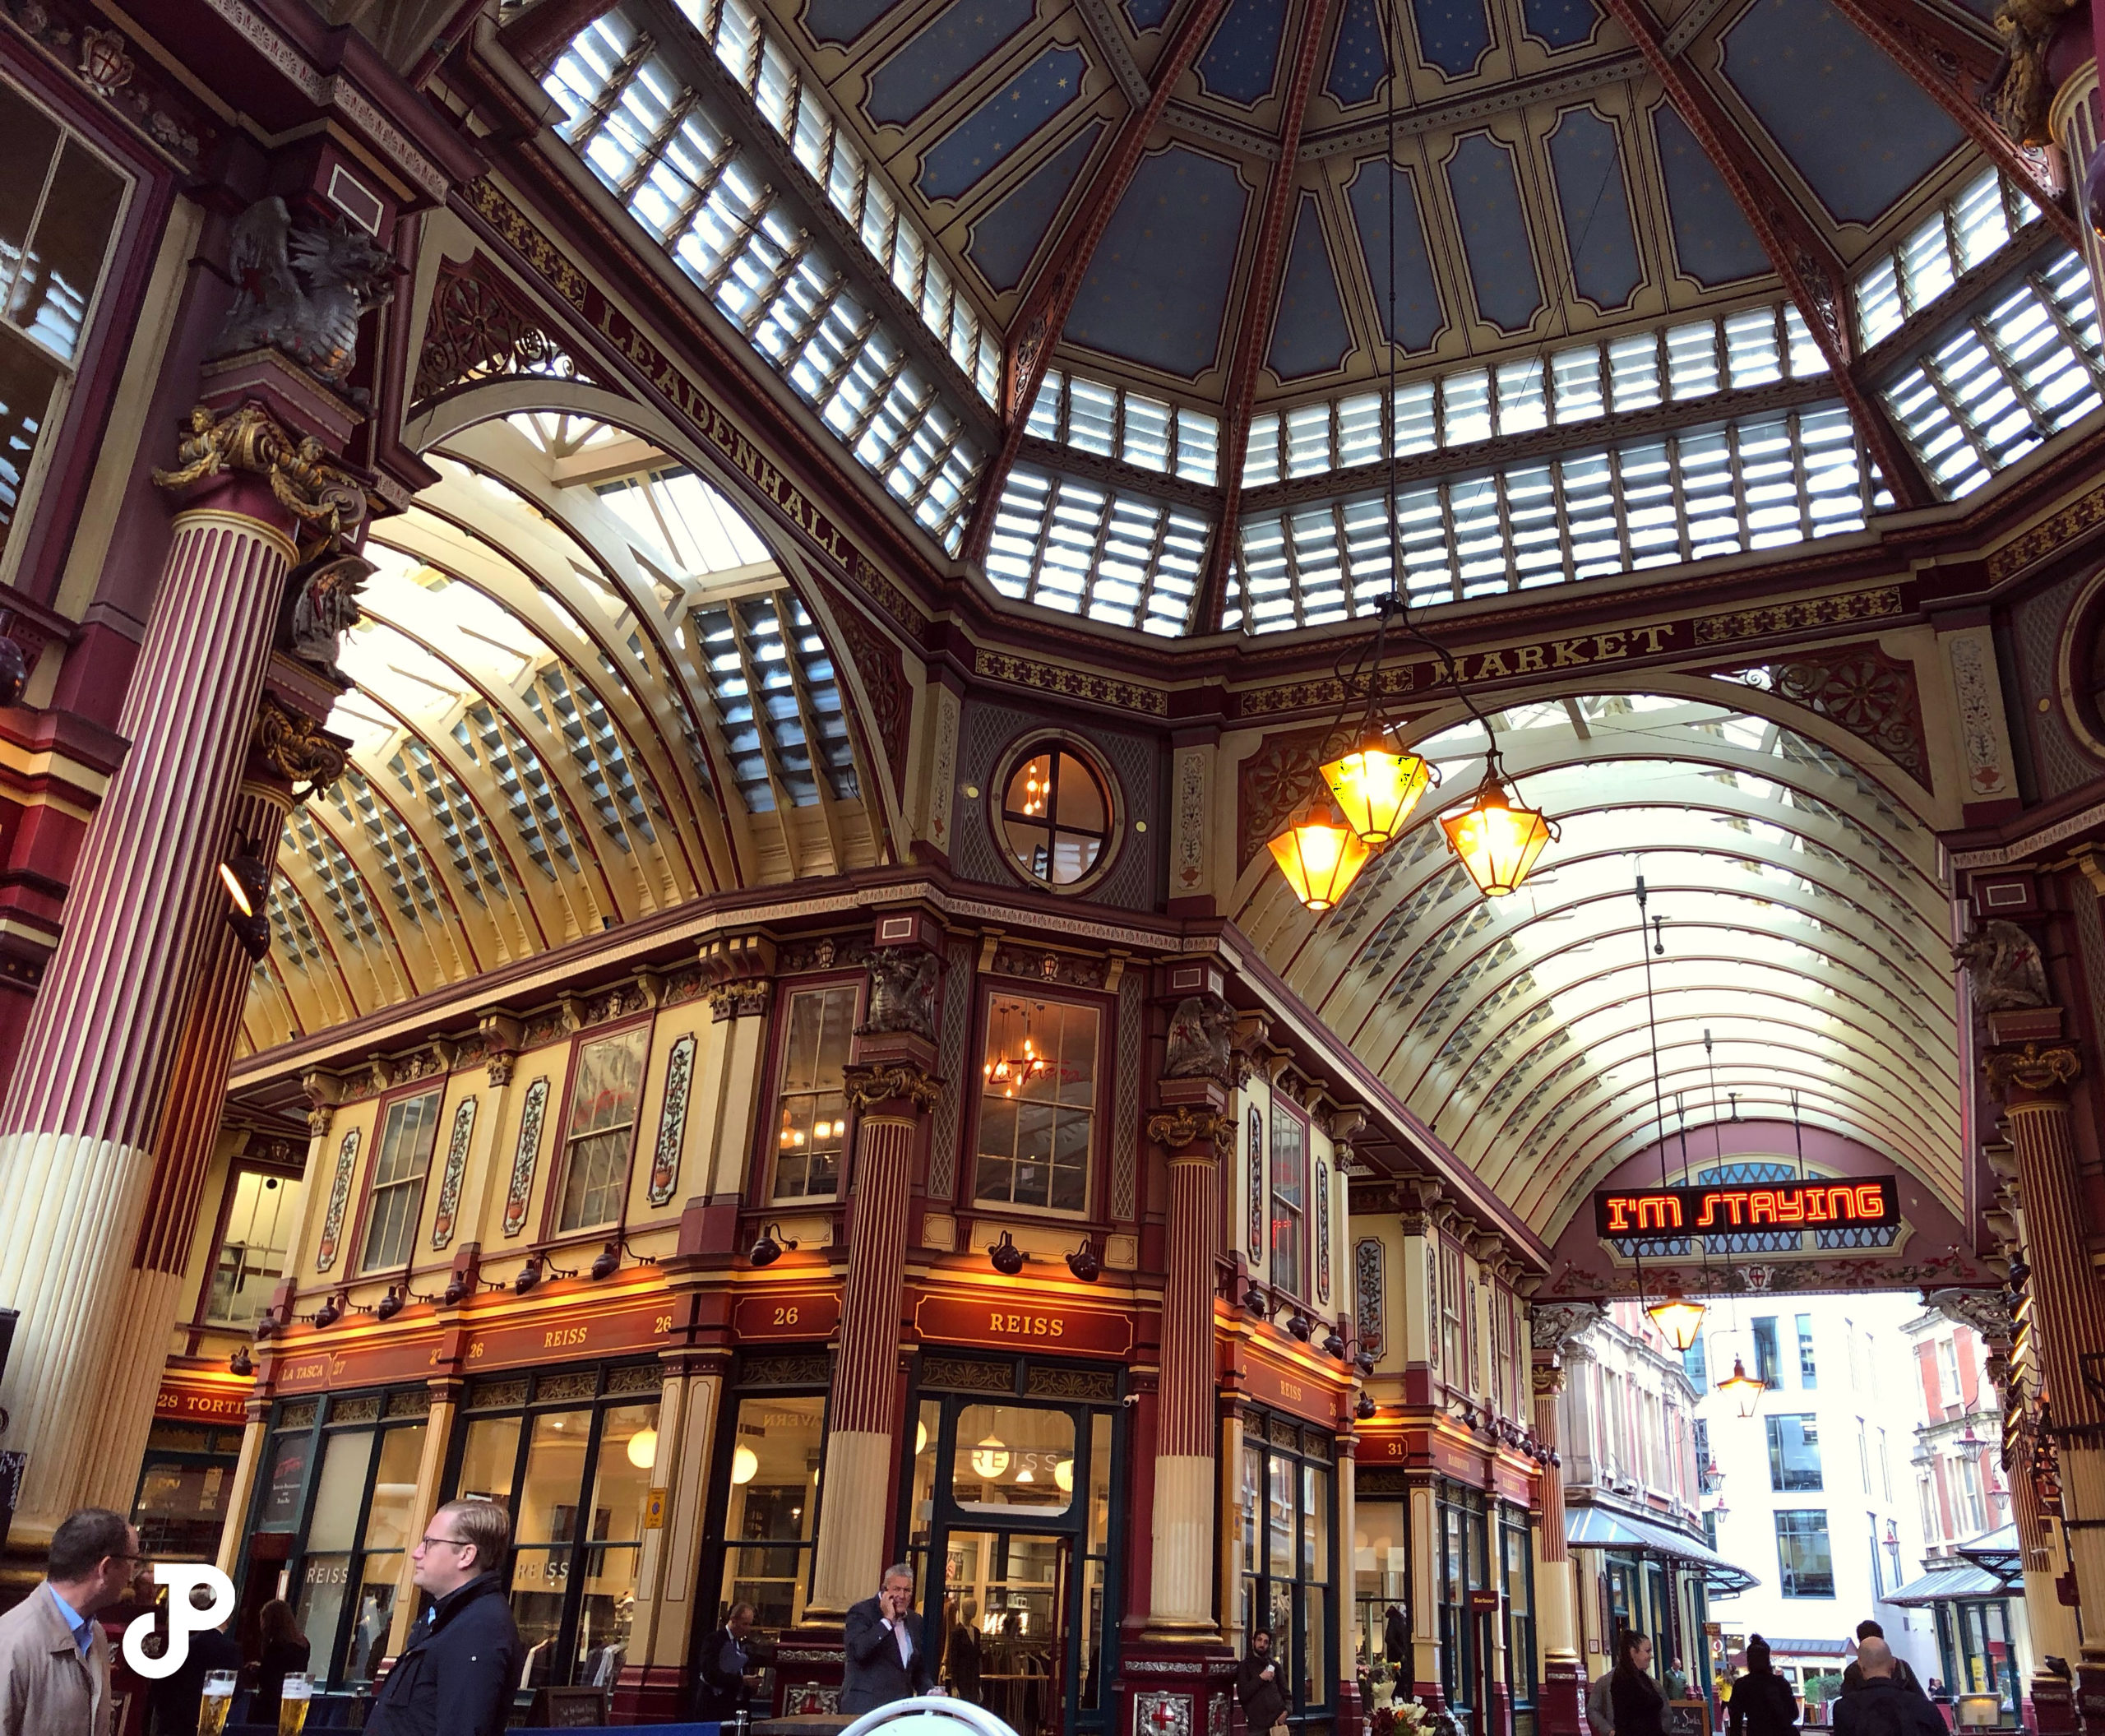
{"points": [[87, 1099]]}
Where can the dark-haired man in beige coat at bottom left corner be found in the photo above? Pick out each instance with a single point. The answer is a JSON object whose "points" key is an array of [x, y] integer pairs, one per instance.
{"points": [[54, 1653]]}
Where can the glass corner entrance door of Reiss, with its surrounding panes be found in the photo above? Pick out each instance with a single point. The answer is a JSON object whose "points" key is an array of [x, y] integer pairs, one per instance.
{"points": [[1014, 1558]]}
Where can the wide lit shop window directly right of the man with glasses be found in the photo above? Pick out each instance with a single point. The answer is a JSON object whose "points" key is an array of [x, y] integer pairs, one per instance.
{"points": [[574, 1464]]}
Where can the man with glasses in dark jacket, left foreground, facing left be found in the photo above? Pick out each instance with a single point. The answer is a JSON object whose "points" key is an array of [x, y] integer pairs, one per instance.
{"points": [[464, 1659]]}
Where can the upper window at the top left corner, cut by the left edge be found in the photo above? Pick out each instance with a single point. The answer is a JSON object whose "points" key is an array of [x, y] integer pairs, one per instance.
{"points": [[58, 211]]}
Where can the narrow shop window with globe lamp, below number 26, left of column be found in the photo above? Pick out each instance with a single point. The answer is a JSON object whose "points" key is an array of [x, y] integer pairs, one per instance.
{"points": [[771, 1512]]}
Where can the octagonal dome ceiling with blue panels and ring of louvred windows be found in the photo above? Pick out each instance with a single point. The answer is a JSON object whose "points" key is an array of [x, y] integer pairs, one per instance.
{"points": [[1102, 291]]}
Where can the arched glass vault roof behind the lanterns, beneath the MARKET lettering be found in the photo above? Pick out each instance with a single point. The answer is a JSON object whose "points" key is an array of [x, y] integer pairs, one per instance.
{"points": [[1803, 935]]}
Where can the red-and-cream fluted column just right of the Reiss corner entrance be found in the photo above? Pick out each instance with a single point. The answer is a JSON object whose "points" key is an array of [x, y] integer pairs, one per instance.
{"points": [[1184, 1516]]}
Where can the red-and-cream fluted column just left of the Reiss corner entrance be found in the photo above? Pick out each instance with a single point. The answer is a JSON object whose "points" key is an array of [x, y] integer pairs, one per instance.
{"points": [[891, 1099]]}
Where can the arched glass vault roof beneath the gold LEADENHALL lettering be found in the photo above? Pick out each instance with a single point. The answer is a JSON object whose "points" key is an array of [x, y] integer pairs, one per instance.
{"points": [[569, 662]]}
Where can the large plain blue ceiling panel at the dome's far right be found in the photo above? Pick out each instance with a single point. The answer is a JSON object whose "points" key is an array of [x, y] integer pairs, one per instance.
{"points": [[1858, 127]]}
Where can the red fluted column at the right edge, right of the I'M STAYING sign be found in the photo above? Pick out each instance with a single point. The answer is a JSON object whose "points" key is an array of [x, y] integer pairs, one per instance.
{"points": [[2068, 1314]]}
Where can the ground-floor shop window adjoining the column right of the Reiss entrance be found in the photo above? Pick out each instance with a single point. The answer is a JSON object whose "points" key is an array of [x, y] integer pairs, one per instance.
{"points": [[1287, 1550]]}
